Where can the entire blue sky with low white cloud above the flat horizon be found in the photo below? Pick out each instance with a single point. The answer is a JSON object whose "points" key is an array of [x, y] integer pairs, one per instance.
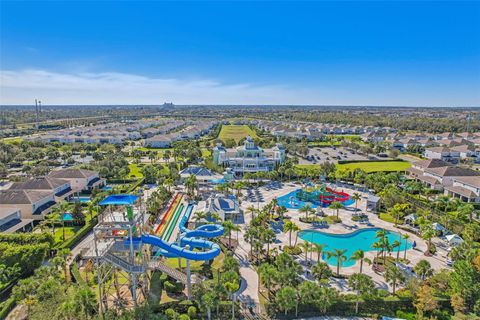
{"points": [[354, 53]]}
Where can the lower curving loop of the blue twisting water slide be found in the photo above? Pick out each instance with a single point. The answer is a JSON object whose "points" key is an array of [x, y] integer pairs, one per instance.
{"points": [[171, 250]]}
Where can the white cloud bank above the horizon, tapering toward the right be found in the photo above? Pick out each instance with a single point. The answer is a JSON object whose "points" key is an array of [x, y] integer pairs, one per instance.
{"points": [[22, 87]]}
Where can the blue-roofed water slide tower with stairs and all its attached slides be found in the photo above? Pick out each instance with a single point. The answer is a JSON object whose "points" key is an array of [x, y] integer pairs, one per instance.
{"points": [[123, 245]]}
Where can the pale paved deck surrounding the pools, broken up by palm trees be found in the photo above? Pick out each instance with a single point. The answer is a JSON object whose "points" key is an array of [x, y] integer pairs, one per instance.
{"points": [[266, 194]]}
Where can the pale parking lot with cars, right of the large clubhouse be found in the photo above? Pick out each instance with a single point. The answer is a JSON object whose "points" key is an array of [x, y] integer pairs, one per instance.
{"points": [[318, 155]]}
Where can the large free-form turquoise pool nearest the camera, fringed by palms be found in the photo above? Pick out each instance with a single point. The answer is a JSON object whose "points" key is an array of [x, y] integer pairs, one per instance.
{"points": [[358, 240]]}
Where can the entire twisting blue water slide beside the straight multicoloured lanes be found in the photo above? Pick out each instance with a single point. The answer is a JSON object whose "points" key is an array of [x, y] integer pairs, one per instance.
{"points": [[190, 239]]}
